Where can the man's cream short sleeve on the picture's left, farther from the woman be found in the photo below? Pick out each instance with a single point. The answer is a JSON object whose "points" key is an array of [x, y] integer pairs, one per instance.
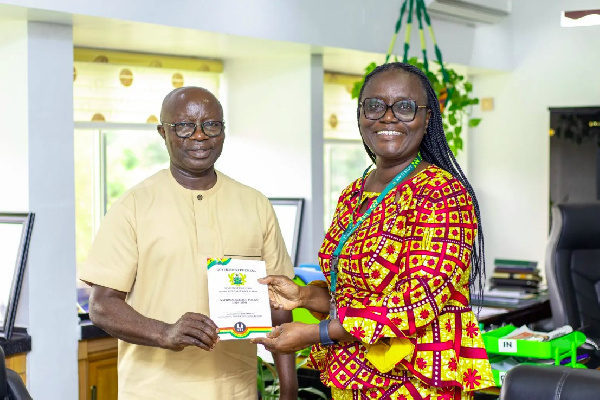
{"points": [[112, 261]]}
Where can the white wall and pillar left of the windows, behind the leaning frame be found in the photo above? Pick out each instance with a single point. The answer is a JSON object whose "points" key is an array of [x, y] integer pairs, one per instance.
{"points": [[37, 175]]}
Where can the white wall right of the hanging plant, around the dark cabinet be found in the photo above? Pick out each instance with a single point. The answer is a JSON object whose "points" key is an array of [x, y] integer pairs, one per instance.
{"points": [[509, 156]]}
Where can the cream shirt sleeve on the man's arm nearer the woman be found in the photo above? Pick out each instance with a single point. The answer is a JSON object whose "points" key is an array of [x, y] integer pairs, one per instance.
{"points": [[275, 253]]}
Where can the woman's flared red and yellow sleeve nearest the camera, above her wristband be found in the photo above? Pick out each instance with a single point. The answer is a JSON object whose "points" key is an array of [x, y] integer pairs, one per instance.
{"points": [[432, 268]]}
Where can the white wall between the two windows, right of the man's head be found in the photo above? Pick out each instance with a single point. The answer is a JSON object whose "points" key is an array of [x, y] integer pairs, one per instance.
{"points": [[268, 136]]}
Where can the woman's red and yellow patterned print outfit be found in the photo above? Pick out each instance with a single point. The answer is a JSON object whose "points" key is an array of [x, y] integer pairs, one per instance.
{"points": [[405, 273]]}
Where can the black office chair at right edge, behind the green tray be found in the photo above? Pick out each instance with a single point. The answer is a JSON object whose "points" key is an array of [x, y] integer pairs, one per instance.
{"points": [[573, 267]]}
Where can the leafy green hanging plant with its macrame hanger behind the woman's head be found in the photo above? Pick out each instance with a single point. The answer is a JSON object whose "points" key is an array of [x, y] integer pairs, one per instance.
{"points": [[454, 92]]}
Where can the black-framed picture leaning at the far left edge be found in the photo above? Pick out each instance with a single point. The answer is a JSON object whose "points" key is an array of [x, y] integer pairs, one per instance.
{"points": [[15, 233]]}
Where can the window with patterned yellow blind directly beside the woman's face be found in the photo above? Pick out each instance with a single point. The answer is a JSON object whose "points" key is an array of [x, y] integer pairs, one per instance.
{"points": [[344, 153]]}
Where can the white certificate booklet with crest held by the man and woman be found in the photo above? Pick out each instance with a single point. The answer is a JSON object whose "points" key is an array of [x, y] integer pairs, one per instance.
{"points": [[238, 304]]}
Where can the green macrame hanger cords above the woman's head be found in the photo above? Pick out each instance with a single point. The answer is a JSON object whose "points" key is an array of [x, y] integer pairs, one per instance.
{"points": [[421, 12]]}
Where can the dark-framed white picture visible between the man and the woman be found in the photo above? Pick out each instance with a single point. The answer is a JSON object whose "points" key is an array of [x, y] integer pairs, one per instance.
{"points": [[289, 215]]}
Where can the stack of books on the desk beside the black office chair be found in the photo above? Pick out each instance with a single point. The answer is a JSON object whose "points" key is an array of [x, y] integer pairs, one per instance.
{"points": [[516, 275]]}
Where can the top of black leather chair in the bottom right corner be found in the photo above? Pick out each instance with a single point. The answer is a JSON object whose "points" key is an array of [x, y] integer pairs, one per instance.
{"points": [[549, 382]]}
